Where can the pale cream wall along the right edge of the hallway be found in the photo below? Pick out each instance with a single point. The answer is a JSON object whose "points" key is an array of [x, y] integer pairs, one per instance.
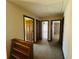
{"points": [[67, 40]]}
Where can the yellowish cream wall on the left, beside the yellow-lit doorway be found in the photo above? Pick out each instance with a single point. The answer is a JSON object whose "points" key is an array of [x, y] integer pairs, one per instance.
{"points": [[14, 25]]}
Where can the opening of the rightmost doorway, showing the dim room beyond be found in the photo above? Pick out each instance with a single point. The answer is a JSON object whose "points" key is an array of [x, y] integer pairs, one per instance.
{"points": [[55, 30]]}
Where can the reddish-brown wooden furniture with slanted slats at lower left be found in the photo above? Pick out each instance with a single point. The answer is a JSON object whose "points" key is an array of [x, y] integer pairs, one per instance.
{"points": [[21, 49]]}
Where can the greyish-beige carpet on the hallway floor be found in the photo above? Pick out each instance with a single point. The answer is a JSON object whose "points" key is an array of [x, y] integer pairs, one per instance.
{"points": [[47, 50]]}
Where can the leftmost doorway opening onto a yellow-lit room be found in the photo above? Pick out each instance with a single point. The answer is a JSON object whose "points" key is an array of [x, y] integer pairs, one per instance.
{"points": [[28, 28]]}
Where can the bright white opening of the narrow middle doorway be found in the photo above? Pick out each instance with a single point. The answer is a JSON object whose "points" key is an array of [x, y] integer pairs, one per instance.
{"points": [[45, 30]]}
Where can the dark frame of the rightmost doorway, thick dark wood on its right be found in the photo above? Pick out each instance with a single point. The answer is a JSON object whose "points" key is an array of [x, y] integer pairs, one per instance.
{"points": [[61, 30]]}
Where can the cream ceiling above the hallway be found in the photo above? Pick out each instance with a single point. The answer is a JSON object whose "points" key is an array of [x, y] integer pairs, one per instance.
{"points": [[42, 8]]}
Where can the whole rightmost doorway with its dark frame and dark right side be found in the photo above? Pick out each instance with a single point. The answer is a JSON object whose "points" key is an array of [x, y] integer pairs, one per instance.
{"points": [[57, 31]]}
